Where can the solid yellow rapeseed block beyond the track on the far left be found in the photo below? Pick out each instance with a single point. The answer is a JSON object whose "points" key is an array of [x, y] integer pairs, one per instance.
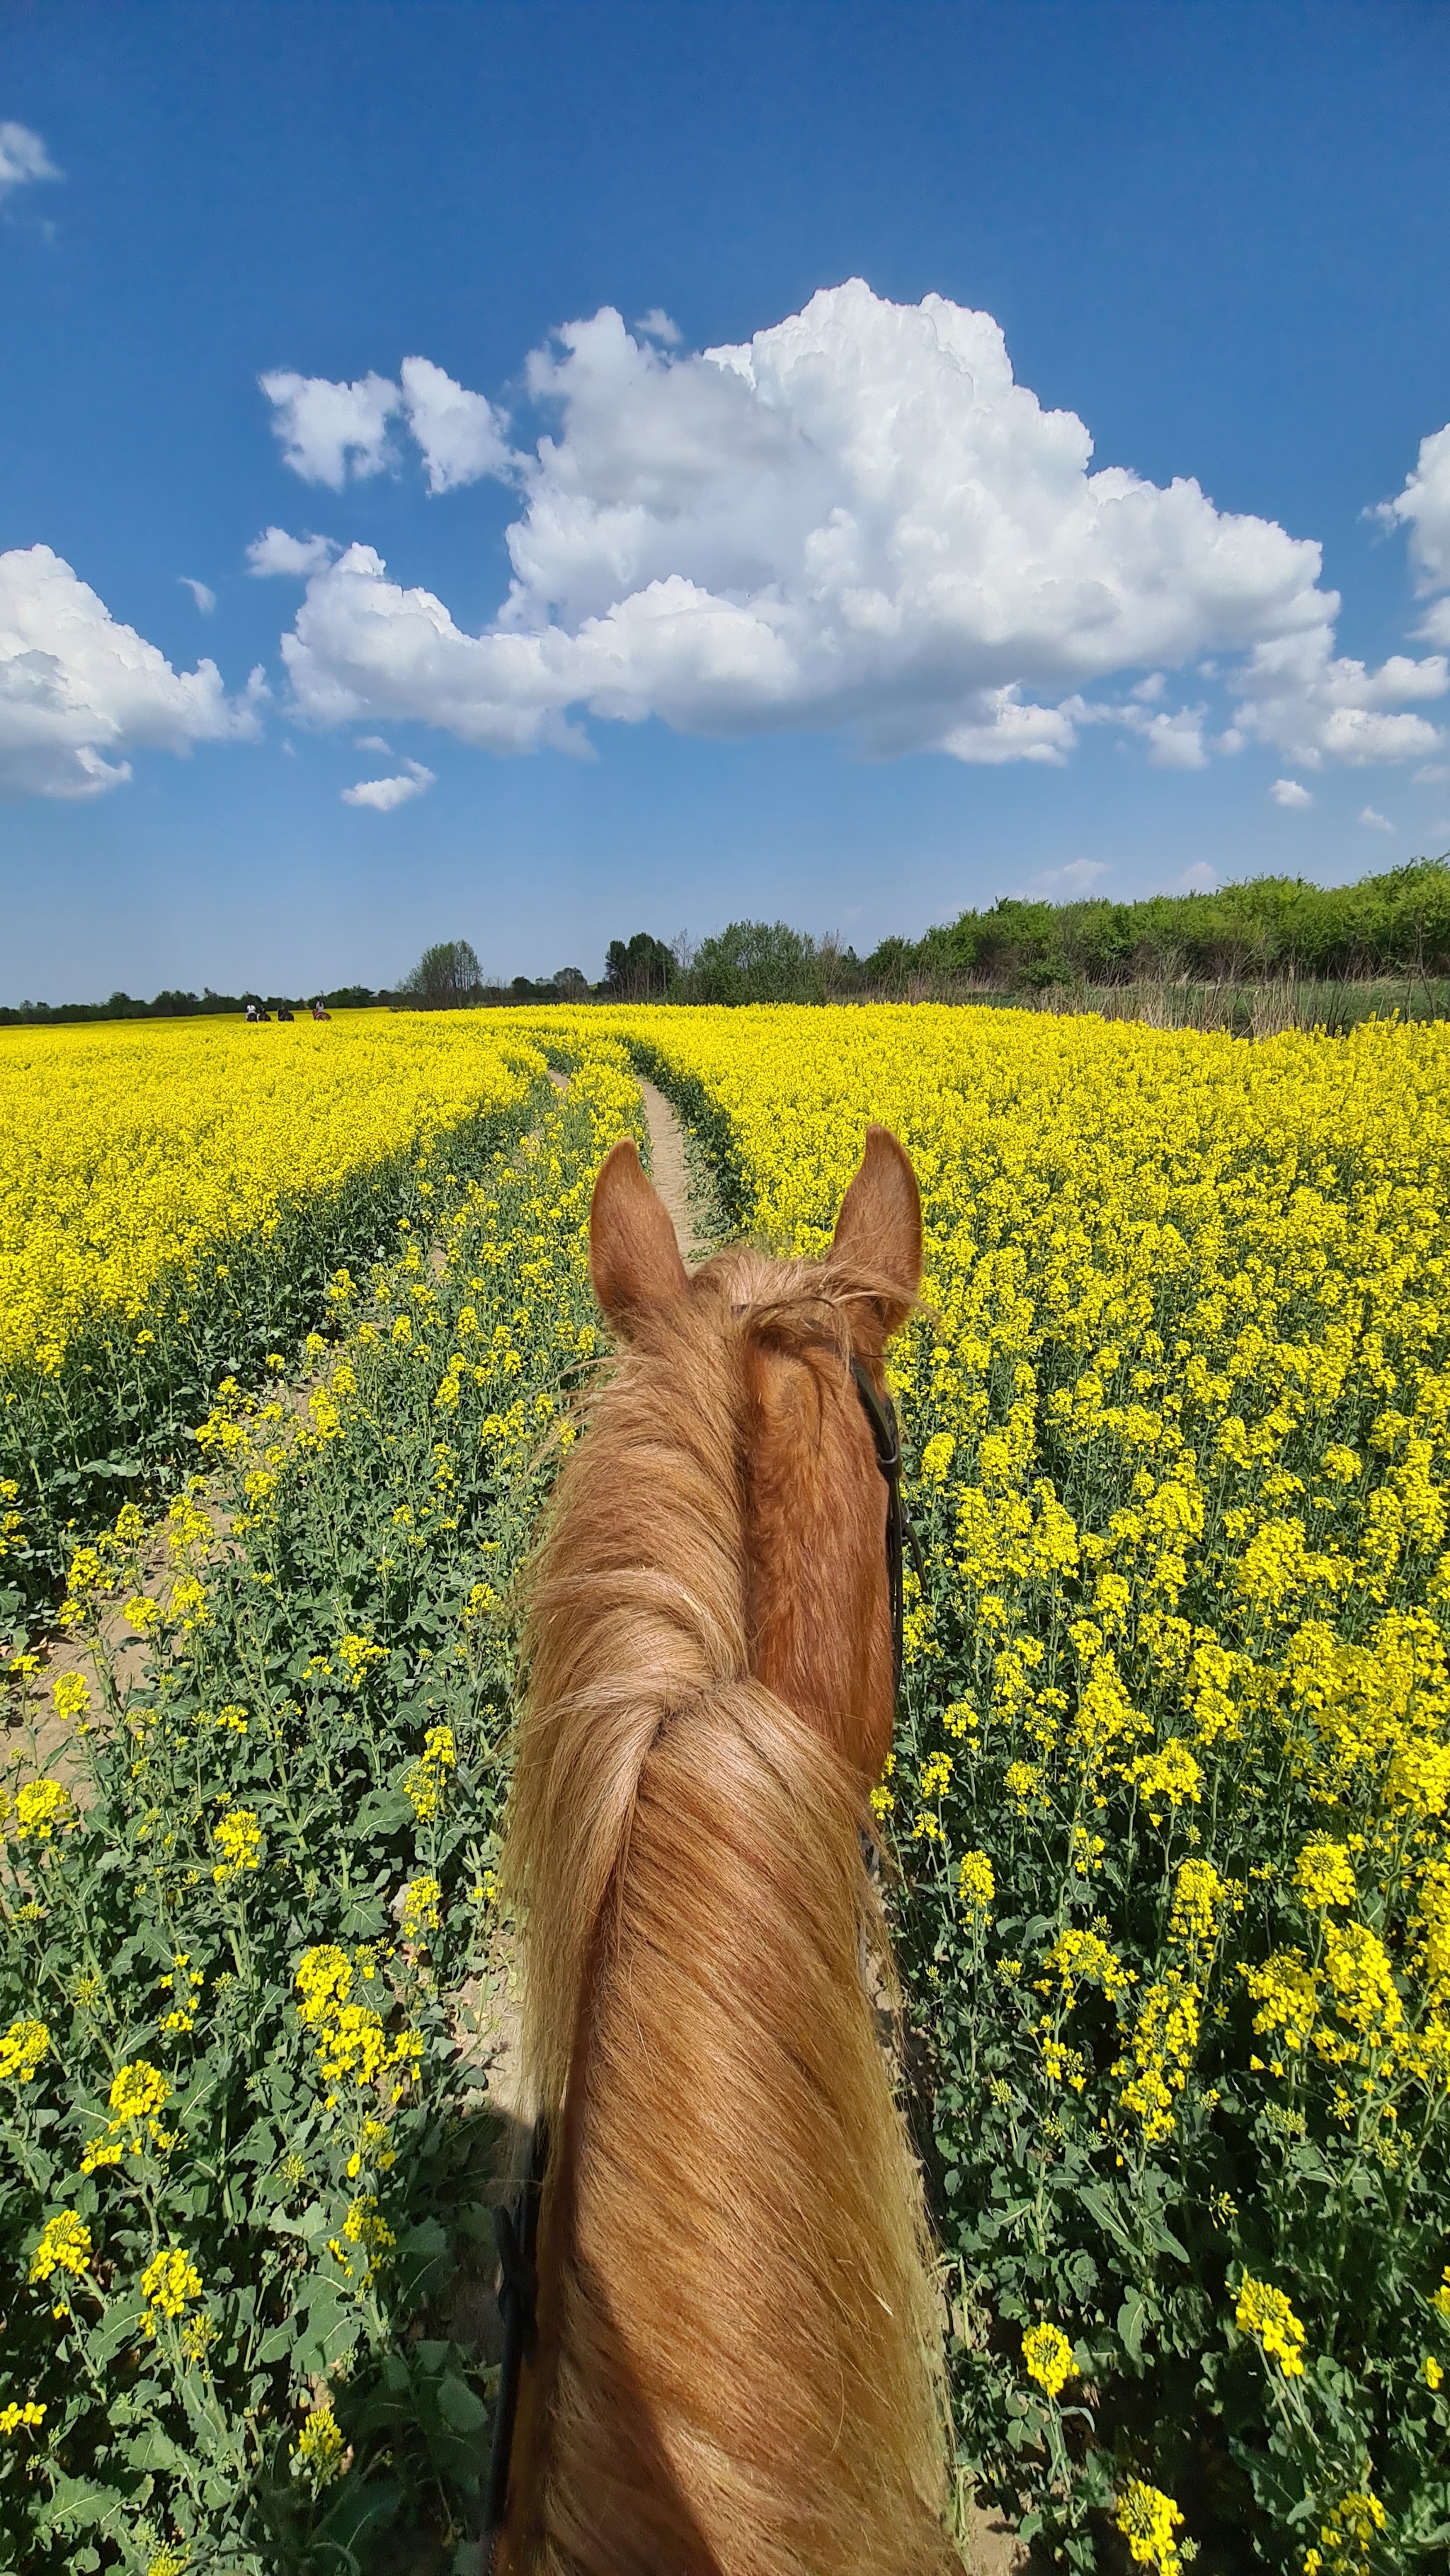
{"points": [[174, 1199]]}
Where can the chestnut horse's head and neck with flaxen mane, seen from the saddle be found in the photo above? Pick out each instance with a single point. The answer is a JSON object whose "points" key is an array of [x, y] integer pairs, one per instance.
{"points": [[735, 2358]]}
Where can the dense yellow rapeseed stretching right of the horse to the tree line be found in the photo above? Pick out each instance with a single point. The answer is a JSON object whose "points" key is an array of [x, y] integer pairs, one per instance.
{"points": [[1173, 1779]]}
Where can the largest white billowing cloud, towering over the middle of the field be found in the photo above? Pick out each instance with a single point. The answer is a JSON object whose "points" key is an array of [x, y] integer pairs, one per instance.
{"points": [[859, 519]]}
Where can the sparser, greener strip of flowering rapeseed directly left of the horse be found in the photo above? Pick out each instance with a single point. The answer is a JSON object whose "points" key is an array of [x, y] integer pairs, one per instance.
{"points": [[251, 1931]]}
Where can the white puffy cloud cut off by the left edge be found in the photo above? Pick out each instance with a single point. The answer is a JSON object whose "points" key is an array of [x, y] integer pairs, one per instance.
{"points": [[81, 692]]}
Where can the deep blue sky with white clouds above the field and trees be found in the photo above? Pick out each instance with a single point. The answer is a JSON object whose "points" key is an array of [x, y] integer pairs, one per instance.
{"points": [[841, 630]]}
